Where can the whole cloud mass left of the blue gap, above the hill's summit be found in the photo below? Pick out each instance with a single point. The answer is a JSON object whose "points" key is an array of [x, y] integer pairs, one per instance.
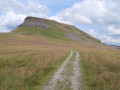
{"points": [[14, 13]]}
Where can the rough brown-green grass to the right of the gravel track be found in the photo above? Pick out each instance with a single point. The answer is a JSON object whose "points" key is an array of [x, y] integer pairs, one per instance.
{"points": [[100, 70]]}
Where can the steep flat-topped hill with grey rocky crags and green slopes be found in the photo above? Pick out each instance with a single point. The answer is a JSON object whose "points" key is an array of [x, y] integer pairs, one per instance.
{"points": [[53, 29]]}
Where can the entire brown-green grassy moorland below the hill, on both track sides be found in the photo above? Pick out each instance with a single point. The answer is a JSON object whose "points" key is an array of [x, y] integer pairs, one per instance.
{"points": [[27, 61]]}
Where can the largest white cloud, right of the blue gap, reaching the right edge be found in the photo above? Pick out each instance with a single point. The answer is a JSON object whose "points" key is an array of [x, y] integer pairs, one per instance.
{"points": [[97, 12]]}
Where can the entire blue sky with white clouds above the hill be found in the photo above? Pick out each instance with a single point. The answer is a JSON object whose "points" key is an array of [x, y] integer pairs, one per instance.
{"points": [[99, 18]]}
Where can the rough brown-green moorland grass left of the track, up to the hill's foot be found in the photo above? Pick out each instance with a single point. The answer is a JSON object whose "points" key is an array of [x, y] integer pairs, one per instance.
{"points": [[27, 65]]}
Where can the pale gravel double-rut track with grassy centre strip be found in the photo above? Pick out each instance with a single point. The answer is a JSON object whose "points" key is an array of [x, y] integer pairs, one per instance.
{"points": [[67, 76]]}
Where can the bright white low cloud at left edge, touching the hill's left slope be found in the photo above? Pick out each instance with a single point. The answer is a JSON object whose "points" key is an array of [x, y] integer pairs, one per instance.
{"points": [[10, 20]]}
